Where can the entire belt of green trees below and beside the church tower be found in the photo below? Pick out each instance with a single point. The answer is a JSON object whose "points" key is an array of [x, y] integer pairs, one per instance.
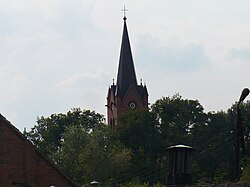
{"points": [[85, 149]]}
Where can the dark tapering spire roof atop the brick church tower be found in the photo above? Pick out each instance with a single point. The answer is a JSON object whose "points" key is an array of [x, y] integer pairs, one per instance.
{"points": [[126, 71]]}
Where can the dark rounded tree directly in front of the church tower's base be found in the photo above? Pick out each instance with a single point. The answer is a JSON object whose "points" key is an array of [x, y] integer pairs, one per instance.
{"points": [[138, 130]]}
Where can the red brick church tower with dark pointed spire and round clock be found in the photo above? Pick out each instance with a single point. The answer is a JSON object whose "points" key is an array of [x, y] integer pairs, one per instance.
{"points": [[126, 94]]}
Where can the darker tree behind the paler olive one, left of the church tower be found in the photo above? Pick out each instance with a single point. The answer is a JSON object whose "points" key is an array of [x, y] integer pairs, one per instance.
{"points": [[48, 132]]}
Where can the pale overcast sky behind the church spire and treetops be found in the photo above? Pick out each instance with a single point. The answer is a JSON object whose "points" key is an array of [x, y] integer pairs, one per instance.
{"points": [[59, 54]]}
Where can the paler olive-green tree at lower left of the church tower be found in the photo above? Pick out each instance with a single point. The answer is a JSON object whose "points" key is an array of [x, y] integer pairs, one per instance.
{"points": [[104, 157]]}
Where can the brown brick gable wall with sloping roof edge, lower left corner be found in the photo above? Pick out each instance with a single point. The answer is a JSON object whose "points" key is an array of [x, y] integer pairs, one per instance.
{"points": [[21, 164]]}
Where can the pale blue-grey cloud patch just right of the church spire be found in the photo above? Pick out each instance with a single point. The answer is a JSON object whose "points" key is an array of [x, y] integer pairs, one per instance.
{"points": [[173, 59]]}
